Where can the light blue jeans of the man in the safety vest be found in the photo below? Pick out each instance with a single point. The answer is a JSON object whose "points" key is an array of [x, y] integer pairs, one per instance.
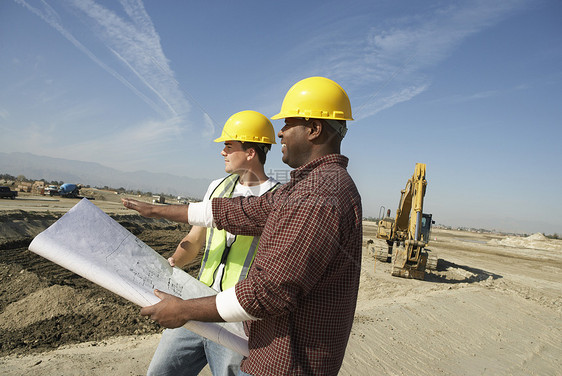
{"points": [[182, 352]]}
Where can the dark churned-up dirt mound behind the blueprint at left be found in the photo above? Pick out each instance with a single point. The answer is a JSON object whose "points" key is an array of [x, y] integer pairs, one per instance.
{"points": [[43, 305]]}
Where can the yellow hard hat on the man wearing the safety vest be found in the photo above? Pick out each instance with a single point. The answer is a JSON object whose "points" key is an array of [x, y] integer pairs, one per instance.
{"points": [[248, 126]]}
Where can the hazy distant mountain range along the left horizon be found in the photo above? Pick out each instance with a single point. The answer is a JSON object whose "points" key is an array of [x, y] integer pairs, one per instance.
{"points": [[96, 175]]}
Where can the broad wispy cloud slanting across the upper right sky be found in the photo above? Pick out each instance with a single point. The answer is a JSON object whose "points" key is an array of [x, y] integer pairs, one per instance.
{"points": [[390, 62]]}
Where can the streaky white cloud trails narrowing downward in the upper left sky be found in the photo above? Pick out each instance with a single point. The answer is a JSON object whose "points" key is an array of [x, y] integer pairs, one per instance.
{"points": [[135, 44]]}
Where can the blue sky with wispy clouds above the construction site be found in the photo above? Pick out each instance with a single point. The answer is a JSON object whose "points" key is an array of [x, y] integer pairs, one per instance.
{"points": [[471, 88]]}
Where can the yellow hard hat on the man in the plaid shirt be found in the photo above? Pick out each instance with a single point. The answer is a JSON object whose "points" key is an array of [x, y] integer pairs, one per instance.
{"points": [[318, 98]]}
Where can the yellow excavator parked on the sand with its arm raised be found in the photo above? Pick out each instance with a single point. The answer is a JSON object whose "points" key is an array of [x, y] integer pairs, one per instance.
{"points": [[408, 234]]}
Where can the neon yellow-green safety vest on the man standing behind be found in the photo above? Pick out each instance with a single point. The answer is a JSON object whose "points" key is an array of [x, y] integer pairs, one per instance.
{"points": [[237, 258]]}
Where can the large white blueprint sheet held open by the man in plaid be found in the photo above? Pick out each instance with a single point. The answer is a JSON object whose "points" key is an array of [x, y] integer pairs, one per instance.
{"points": [[93, 245]]}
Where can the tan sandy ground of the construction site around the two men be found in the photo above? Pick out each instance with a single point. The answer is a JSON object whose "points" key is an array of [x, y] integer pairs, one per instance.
{"points": [[493, 307]]}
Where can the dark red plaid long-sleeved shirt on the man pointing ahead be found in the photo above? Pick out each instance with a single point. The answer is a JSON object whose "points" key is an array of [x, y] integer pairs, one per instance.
{"points": [[304, 280]]}
